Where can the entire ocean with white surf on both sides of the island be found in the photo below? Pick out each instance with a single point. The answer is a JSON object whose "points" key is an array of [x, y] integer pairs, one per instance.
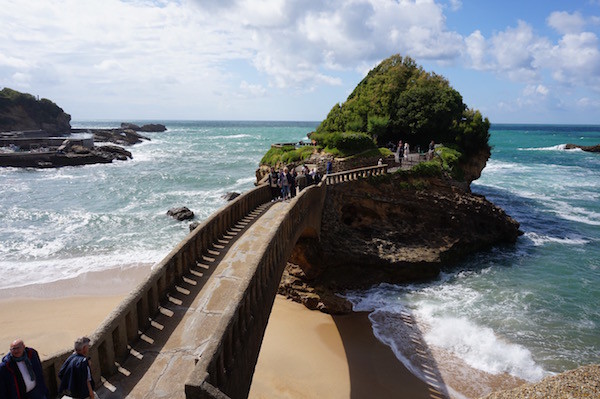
{"points": [[526, 310]]}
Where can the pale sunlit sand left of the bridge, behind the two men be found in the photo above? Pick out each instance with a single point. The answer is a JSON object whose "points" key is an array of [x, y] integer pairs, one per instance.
{"points": [[49, 317]]}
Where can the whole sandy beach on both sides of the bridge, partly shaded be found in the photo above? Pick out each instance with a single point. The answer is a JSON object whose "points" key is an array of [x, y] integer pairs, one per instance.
{"points": [[305, 354]]}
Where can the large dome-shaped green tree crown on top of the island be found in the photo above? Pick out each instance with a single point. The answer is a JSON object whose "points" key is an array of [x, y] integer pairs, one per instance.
{"points": [[398, 100]]}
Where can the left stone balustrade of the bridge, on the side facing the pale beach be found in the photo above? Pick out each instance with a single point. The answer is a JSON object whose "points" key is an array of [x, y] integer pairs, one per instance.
{"points": [[111, 341]]}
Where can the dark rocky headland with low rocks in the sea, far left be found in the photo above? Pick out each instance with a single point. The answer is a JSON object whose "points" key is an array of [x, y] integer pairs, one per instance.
{"points": [[37, 133]]}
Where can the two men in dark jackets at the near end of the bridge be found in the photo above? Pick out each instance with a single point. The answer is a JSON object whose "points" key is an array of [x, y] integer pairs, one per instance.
{"points": [[22, 377]]}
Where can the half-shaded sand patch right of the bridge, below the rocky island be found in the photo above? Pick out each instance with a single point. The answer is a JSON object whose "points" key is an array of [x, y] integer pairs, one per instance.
{"points": [[309, 354]]}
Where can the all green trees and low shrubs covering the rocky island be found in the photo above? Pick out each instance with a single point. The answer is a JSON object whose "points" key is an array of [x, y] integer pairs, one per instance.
{"points": [[397, 100]]}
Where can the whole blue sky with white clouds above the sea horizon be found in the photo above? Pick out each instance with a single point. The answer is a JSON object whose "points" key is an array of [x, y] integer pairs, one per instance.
{"points": [[293, 60]]}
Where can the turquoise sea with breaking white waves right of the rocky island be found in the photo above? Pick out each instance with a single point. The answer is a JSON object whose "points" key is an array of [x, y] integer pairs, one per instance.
{"points": [[529, 309]]}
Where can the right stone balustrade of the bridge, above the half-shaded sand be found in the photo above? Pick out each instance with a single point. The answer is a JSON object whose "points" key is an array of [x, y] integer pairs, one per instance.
{"points": [[228, 360]]}
